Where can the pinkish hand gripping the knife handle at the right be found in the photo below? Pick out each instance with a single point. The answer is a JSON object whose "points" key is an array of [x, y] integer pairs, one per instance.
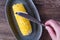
{"points": [[53, 28]]}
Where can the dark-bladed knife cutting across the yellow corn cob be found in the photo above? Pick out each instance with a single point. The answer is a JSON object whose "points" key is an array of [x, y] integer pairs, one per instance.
{"points": [[25, 15]]}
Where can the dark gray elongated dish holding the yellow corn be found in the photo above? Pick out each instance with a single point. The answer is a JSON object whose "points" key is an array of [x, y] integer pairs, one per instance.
{"points": [[31, 9]]}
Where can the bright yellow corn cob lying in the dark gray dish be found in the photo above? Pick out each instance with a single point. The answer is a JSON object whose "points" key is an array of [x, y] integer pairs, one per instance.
{"points": [[23, 23]]}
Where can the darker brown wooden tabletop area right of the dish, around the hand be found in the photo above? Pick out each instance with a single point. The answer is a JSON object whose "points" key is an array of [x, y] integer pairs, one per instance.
{"points": [[48, 9]]}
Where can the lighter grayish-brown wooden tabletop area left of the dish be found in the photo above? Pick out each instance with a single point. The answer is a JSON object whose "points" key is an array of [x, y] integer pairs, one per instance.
{"points": [[5, 30]]}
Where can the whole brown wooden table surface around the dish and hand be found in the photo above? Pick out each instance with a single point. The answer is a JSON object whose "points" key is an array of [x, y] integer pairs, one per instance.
{"points": [[48, 9]]}
